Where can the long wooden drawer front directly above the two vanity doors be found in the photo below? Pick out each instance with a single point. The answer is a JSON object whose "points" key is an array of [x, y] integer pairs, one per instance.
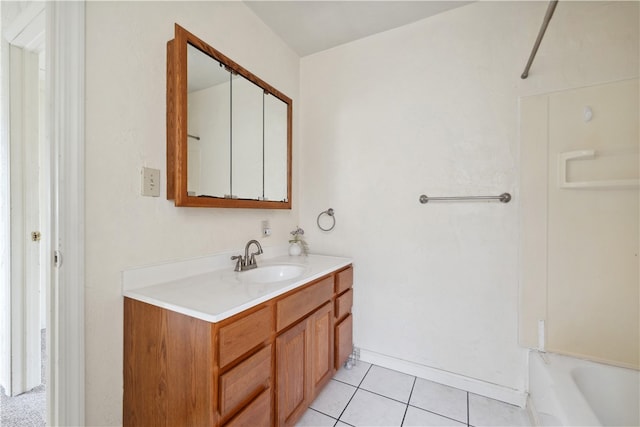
{"points": [[303, 302]]}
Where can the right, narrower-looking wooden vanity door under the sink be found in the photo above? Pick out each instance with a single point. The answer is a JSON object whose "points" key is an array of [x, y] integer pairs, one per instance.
{"points": [[321, 347]]}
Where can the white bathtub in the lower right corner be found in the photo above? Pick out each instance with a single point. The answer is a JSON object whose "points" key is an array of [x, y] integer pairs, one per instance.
{"points": [[564, 391]]}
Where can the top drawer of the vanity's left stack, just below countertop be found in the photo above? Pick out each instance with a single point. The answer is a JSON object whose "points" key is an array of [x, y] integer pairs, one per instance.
{"points": [[244, 334]]}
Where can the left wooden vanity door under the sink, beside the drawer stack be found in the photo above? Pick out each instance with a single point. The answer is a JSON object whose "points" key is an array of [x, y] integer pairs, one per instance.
{"points": [[292, 364]]}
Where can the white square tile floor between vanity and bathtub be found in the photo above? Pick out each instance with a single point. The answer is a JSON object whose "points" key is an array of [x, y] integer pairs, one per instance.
{"points": [[368, 395]]}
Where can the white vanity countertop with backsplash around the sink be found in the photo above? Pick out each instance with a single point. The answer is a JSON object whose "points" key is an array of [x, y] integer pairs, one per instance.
{"points": [[218, 294]]}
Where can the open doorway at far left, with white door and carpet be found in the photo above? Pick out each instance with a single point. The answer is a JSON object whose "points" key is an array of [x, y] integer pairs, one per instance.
{"points": [[25, 216]]}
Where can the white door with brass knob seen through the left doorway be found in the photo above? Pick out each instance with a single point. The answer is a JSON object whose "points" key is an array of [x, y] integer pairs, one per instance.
{"points": [[24, 220]]}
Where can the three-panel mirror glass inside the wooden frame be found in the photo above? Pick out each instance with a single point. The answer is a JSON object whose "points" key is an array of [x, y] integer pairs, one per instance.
{"points": [[237, 134]]}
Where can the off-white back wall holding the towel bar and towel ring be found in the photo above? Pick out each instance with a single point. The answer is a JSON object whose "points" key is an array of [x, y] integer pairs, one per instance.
{"points": [[432, 108]]}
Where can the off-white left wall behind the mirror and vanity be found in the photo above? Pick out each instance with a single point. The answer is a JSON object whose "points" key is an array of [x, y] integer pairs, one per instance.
{"points": [[125, 130]]}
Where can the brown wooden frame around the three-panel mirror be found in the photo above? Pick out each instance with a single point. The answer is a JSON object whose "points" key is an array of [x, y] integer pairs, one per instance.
{"points": [[177, 125]]}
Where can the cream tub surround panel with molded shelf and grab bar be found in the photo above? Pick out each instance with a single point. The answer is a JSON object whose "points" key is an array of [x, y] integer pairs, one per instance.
{"points": [[577, 167]]}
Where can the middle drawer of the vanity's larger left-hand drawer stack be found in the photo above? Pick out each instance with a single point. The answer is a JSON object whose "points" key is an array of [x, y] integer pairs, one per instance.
{"points": [[244, 380]]}
